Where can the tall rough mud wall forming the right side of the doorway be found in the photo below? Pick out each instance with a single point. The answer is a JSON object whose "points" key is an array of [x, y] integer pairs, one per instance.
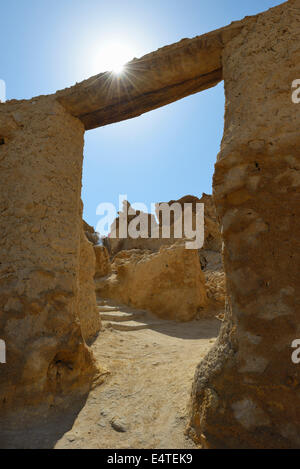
{"points": [[246, 392]]}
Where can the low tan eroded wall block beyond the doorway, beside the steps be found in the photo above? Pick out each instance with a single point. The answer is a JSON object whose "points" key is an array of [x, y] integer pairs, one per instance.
{"points": [[169, 283]]}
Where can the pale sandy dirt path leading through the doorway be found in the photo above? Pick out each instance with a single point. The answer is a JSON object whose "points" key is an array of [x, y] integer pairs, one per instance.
{"points": [[142, 403]]}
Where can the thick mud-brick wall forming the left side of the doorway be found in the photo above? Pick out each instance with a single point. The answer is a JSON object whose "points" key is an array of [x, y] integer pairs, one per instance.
{"points": [[41, 164]]}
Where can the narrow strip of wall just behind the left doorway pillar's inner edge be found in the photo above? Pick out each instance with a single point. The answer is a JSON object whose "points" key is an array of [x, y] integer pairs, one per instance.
{"points": [[89, 316]]}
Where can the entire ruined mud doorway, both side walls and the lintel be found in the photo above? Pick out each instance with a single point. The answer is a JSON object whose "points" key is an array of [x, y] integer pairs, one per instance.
{"points": [[246, 391]]}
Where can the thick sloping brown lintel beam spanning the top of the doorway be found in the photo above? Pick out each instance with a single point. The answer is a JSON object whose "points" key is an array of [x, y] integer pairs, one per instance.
{"points": [[157, 79]]}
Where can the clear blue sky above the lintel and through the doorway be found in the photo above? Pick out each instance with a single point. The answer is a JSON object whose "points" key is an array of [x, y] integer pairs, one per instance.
{"points": [[170, 152]]}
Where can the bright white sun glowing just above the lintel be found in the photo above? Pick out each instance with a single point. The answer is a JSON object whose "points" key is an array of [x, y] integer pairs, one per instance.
{"points": [[113, 57]]}
